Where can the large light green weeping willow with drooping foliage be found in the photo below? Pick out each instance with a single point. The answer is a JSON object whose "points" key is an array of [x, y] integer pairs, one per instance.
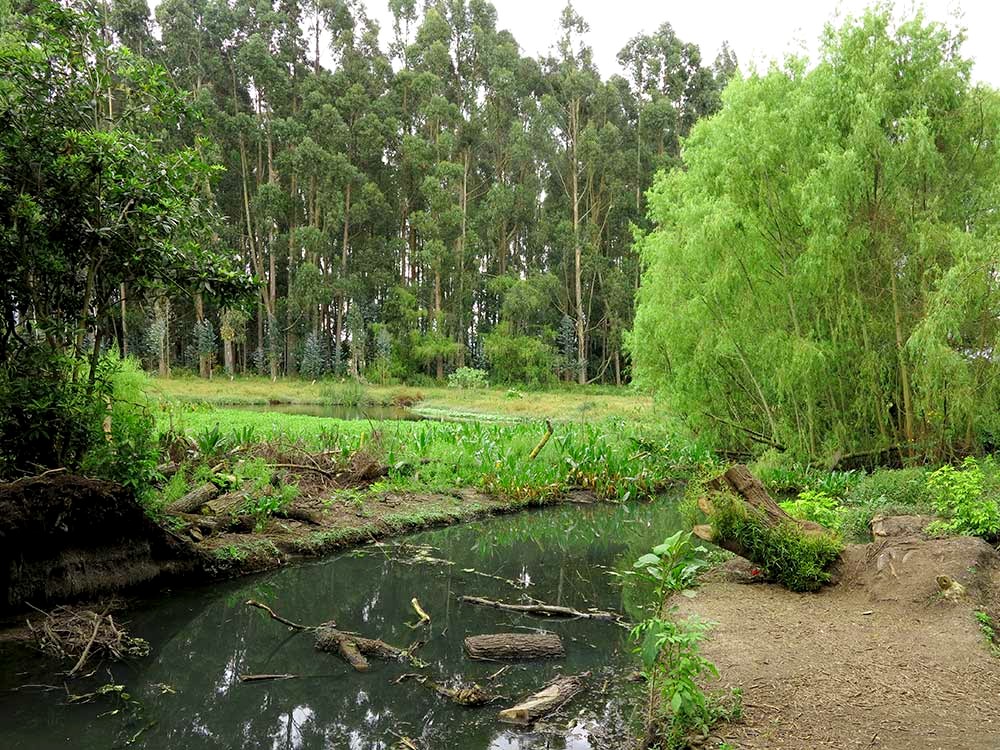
{"points": [[823, 276]]}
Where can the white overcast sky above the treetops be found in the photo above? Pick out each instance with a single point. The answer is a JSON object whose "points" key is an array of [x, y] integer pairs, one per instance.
{"points": [[758, 30]]}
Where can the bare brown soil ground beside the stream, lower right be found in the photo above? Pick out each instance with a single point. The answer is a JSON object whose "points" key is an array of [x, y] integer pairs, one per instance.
{"points": [[879, 660]]}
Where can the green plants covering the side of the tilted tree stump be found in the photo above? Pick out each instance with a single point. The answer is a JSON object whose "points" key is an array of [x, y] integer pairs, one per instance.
{"points": [[785, 553]]}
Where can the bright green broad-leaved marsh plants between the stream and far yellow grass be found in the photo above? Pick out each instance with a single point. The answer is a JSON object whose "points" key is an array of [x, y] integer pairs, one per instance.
{"points": [[615, 459]]}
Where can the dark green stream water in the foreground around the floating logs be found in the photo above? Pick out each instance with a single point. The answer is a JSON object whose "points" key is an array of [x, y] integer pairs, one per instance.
{"points": [[203, 639]]}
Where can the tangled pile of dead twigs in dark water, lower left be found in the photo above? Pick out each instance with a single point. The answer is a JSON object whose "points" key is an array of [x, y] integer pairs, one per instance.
{"points": [[82, 634]]}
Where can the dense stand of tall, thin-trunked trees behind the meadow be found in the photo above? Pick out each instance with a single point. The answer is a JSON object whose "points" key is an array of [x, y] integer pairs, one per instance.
{"points": [[445, 202]]}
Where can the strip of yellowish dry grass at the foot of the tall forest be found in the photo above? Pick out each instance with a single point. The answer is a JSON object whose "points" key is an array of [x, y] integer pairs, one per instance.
{"points": [[566, 403]]}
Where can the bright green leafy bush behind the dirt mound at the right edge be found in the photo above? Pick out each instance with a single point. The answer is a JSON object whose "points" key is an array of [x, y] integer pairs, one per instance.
{"points": [[959, 499]]}
